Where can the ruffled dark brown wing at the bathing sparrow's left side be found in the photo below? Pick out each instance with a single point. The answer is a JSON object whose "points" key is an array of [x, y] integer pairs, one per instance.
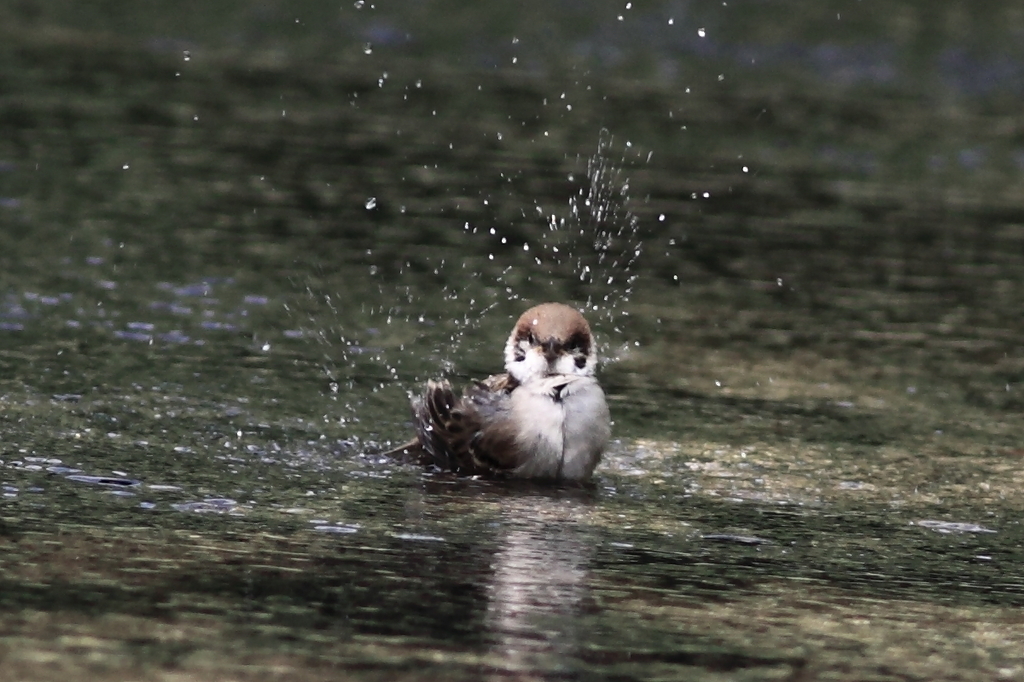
{"points": [[451, 431]]}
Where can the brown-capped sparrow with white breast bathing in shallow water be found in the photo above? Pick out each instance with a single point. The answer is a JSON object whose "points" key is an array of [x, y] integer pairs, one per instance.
{"points": [[545, 418]]}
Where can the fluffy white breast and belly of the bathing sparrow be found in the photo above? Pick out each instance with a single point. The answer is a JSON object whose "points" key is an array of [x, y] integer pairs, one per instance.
{"points": [[564, 428]]}
